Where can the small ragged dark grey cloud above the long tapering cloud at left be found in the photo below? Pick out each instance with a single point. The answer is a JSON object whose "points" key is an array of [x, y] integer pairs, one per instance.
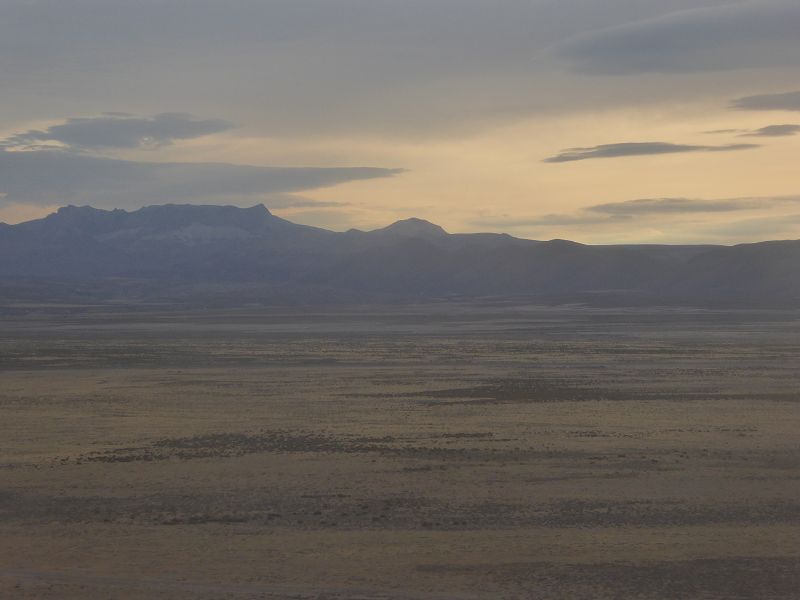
{"points": [[120, 130]]}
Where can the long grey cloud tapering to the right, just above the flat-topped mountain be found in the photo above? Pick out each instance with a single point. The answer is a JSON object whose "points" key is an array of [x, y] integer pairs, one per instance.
{"points": [[52, 177]]}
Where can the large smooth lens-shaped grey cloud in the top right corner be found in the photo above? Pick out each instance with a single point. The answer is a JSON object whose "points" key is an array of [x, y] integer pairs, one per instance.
{"points": [[756, 34]]}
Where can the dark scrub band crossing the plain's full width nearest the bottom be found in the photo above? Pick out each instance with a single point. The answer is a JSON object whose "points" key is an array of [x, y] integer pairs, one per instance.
{"points": [[264, 508]]}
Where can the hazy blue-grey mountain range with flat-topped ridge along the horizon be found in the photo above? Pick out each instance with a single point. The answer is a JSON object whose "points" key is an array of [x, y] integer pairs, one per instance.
{"points": [[231, 255]]}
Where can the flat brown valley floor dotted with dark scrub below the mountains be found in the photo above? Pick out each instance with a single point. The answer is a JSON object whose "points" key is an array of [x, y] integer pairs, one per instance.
{"points": [[437, 451]]}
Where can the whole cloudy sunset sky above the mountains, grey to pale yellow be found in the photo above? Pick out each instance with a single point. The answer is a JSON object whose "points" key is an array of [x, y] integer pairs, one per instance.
{"points": [[602, 121]]}
